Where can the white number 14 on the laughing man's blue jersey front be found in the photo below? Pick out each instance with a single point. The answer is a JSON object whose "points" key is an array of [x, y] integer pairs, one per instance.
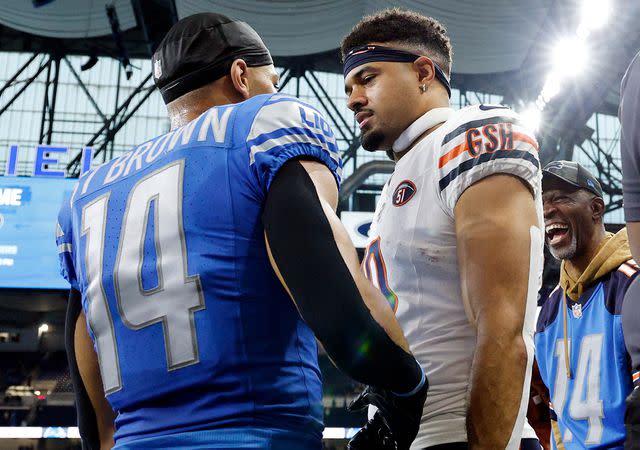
{"points": [[587, 381]]}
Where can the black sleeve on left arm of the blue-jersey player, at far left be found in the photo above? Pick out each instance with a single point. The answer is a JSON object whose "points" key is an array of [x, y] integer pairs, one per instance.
{"points": [[87, 422]]}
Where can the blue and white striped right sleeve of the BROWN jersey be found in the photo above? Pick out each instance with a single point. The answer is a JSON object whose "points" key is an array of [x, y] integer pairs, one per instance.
{"points": [[285, 128]]}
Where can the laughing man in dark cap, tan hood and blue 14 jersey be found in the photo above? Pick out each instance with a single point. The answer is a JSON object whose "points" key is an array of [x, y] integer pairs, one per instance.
{"points": [[580, 343]]}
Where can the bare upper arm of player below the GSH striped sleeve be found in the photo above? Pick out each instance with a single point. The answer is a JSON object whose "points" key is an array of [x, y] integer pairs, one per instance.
{"points": [[494, 220]]}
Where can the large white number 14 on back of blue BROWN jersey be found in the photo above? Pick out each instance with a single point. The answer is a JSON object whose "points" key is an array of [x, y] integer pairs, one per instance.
{"points": [[177, 295]]}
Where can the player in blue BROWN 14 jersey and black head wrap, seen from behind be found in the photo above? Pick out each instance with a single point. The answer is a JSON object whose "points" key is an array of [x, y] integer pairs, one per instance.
{"points": [[185, 254]]}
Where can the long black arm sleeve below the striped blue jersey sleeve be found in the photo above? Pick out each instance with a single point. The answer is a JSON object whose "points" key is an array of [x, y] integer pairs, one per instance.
{"points": [[305, 252]]}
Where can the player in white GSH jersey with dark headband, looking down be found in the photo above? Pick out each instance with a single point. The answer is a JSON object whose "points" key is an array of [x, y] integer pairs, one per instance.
{"points": [[456, 243]]}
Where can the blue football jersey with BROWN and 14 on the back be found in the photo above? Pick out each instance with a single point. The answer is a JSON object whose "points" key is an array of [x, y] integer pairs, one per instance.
{"points": [[192, 328]]}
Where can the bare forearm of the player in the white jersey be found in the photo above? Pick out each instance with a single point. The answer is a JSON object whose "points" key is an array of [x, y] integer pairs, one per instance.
{"points": [[496, 389]]}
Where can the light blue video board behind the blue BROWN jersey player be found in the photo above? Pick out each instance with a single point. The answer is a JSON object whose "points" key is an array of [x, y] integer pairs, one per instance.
{"points": [[28, 215]]}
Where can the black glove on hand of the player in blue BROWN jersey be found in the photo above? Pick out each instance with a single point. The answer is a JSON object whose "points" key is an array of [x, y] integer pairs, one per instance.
{"points": [[401, 414]]}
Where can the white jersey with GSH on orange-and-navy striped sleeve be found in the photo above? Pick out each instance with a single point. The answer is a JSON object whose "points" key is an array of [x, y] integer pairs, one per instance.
{"points": [[412, 257]]}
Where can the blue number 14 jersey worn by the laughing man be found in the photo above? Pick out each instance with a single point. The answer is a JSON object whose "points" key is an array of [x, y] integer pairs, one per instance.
{"points": [[590, 405]]}
